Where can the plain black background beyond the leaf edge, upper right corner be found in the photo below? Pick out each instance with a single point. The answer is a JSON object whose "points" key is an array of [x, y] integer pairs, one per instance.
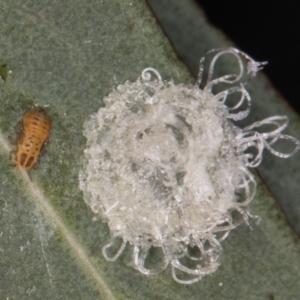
{"points": [[266, 30]]}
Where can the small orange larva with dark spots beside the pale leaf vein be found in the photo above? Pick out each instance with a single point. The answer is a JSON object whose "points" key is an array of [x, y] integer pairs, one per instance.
{"points": [[34, 133]]}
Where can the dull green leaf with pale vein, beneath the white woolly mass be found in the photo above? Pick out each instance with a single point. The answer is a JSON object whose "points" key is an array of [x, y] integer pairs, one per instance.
{"points": [[68, 55]]}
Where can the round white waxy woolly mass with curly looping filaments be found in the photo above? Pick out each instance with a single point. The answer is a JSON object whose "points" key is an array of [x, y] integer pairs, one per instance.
{"points": [[168, 170]]}
